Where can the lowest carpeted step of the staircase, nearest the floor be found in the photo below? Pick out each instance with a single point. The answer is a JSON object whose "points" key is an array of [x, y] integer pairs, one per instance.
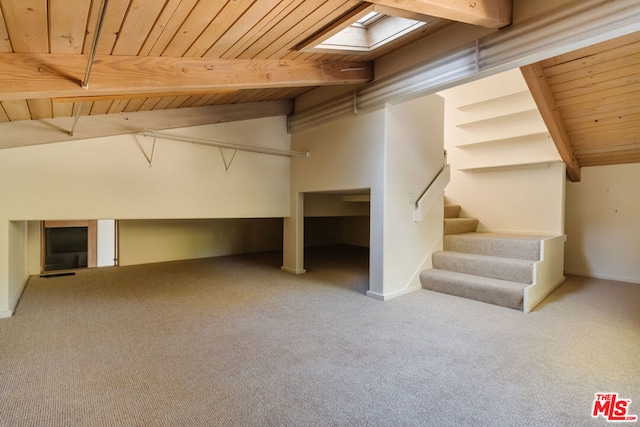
{"points": [[492, 291]]}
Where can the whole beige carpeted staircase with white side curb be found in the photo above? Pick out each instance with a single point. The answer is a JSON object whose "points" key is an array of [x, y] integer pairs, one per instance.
{"points": [[494, 268]]}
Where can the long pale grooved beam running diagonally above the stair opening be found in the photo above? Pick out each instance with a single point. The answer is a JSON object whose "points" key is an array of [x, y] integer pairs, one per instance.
{"points": [[559, 31]]}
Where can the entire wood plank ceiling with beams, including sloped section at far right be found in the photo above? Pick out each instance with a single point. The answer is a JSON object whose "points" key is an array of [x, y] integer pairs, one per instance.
{"points": [[167, 56]]}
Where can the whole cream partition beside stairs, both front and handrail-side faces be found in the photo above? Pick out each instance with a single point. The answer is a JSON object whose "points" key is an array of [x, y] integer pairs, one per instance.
{"points": [[395, 152]]}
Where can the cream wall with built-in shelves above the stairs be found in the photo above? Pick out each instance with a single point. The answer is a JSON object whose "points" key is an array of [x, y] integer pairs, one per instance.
{"points": [[505, 169]]}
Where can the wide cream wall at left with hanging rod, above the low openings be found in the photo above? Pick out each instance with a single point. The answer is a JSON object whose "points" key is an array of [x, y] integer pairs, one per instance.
{"points": [[111, 178]]}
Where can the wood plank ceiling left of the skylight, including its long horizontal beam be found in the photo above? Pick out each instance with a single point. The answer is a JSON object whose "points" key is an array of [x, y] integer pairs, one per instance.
{"points": [[44, 46]]}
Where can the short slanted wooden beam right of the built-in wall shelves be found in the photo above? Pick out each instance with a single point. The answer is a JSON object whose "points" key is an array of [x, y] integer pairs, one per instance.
{"points": [[539, 87]]}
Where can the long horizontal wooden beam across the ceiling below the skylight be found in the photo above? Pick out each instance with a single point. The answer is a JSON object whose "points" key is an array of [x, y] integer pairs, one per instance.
{"points": [[42, 75]]}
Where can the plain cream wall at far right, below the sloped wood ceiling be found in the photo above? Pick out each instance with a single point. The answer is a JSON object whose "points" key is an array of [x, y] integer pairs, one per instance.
{"points": [[603, 223]]}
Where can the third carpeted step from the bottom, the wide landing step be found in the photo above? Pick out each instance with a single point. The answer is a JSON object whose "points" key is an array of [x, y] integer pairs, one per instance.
{"points": [[495, 244]]}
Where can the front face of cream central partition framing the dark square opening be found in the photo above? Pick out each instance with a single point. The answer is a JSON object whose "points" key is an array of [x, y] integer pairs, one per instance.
{"points": [[346, 155]]}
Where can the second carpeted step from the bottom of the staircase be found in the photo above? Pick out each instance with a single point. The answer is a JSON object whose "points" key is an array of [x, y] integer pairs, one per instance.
{"points": [[510, 269]]}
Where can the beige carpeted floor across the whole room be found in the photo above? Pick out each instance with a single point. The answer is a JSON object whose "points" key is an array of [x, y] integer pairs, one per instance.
{"points": [[236, 341]]}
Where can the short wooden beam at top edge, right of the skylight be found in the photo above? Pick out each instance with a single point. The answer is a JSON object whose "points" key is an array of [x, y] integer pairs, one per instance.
{"points": [[485, 13]]}
